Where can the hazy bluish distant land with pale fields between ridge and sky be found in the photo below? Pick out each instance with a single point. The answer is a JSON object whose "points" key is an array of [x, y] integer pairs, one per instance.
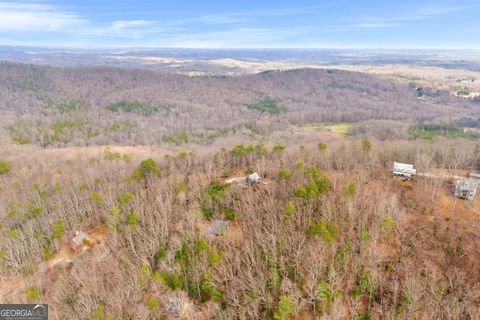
{"points": [[236, 61]]}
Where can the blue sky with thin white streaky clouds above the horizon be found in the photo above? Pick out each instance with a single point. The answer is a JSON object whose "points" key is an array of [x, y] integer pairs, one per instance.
{"points": [[416, 24]]}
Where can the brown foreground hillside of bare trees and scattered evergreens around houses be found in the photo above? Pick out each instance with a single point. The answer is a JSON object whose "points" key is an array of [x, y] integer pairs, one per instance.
{"points": [[327, 234]]}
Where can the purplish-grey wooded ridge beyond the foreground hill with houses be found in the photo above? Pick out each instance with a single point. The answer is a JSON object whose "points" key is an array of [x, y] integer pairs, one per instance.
{"points": [[85, 106]]}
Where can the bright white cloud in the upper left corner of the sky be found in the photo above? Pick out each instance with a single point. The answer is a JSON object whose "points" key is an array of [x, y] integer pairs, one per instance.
{"points": [[21, 17]]}
